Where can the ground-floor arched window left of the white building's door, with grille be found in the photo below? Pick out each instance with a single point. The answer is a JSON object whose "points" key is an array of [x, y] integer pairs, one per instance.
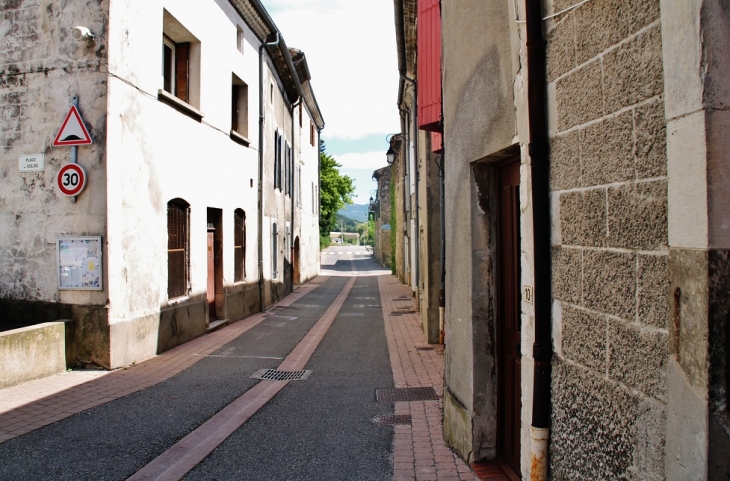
{"points": [[178, 212]]}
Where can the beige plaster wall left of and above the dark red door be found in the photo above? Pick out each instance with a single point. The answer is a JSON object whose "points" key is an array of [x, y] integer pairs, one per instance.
{"points": [[479, 67]]}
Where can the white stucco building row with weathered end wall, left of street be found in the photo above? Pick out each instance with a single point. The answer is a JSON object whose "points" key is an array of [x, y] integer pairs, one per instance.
{"points": [[199, 113]]}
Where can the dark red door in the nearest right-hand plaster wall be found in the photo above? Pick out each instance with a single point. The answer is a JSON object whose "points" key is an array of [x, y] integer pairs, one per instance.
{"points": [[508, 324]]}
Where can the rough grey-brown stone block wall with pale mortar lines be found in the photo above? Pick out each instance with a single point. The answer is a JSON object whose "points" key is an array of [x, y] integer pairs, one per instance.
{"points": [[610, 252]]}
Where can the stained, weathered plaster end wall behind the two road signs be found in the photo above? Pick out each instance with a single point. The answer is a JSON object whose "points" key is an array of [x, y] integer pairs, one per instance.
{"points": [[42, 67]]}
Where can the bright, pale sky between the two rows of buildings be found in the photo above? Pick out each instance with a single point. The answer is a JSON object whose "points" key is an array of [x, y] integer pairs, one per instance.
{"points": [[351, 52]]}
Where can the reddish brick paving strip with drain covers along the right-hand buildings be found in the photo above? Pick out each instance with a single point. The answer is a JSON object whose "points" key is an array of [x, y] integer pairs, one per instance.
{"points": [[419, 450]]}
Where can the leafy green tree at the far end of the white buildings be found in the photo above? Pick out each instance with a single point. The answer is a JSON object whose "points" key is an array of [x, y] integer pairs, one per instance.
{"points": [[335, 191]]}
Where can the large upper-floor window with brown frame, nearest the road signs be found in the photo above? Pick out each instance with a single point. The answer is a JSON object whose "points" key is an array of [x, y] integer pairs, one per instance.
{"points": [[180, 66]]}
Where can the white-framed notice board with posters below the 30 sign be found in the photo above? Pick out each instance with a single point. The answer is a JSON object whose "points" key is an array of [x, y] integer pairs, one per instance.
{"points": [[79, 263]]}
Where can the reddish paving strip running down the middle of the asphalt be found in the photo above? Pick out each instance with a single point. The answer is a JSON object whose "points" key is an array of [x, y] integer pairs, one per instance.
{"points": [[174, 463]]}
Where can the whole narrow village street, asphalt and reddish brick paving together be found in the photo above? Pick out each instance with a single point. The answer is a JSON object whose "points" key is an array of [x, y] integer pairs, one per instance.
{"points": [[195, 412]]}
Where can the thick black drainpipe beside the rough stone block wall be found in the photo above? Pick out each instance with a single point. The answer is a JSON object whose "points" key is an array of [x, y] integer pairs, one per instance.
{"points": [[540, 171]]}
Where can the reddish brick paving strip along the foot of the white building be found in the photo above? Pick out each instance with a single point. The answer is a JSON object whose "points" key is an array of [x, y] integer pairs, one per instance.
{"points": [[29, 406]]}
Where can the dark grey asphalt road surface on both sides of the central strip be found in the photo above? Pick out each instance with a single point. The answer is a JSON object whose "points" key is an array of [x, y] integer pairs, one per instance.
{"points": [[314, 429]]}
